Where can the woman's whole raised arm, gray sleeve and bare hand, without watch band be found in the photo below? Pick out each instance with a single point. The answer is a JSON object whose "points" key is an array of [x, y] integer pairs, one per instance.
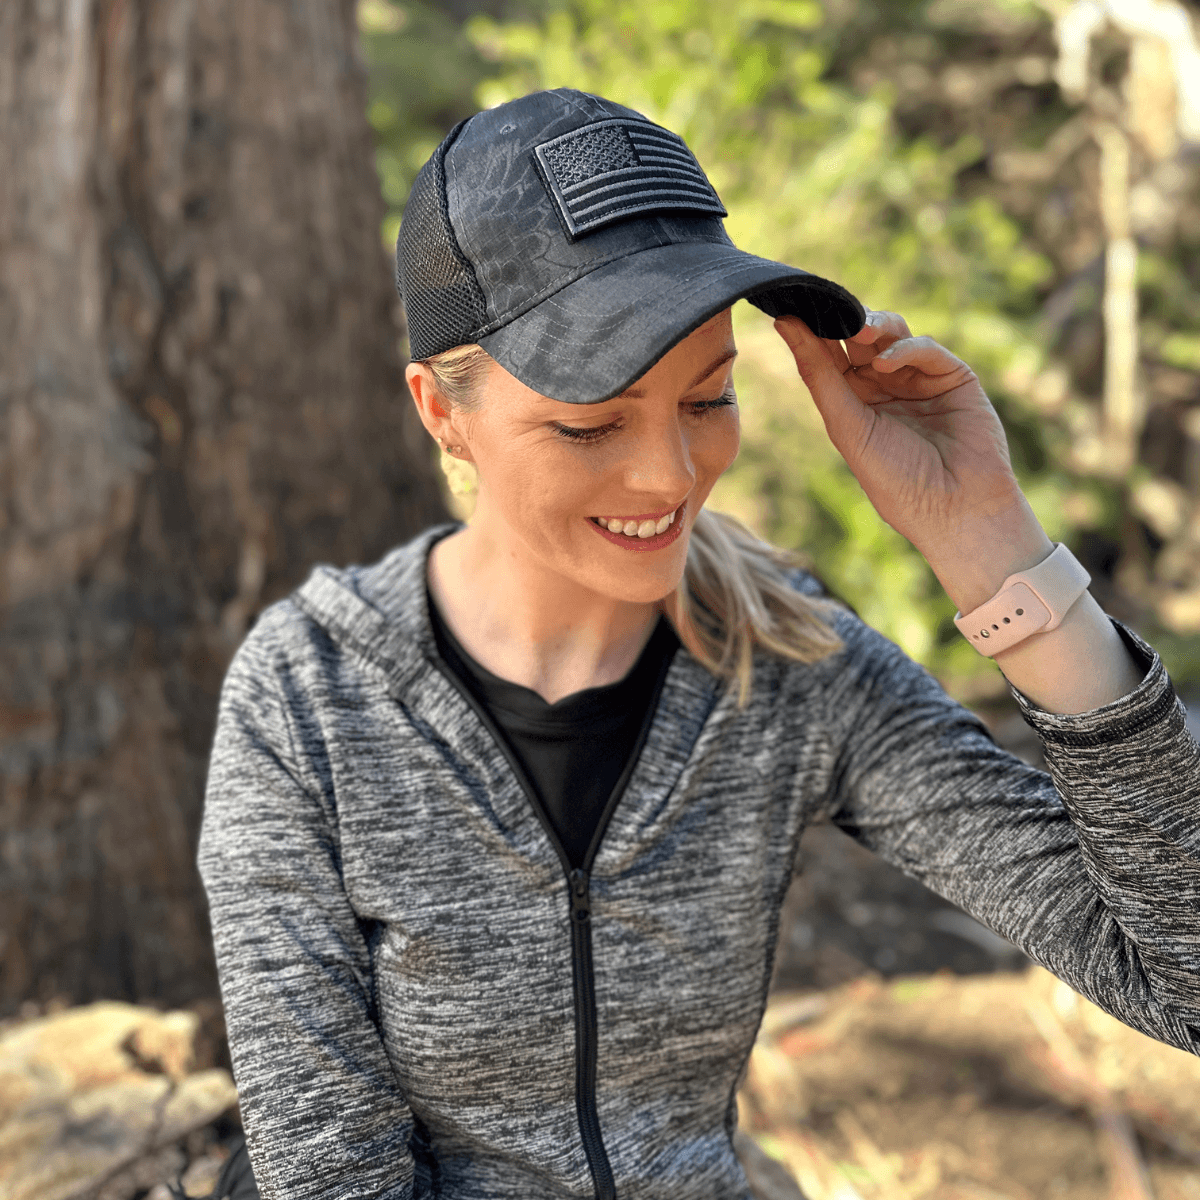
{"points": [[1095, 872]]}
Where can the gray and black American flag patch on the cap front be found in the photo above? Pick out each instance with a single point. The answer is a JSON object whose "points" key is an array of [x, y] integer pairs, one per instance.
{"points": [[614, 170]]}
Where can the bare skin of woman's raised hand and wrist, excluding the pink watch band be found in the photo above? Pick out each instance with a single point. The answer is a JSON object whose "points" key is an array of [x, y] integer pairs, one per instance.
{"points": [[923, 440]]}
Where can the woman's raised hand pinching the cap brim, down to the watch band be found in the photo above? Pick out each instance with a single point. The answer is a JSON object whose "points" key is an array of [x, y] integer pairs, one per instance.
{"points": [[921, 436]]}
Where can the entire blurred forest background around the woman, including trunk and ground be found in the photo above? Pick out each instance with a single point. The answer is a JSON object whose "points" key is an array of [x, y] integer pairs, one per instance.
{"points": [[201, 397]]}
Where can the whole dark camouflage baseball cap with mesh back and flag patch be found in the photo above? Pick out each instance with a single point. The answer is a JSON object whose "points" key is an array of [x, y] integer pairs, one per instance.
{"points": [[578, 243]]}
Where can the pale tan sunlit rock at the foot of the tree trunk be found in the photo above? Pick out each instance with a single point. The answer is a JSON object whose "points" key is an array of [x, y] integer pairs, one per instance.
{"points": [[88, 1093]]}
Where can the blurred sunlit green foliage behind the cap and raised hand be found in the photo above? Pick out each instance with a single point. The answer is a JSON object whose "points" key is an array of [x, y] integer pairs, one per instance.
{"points": [[1021, 187]]}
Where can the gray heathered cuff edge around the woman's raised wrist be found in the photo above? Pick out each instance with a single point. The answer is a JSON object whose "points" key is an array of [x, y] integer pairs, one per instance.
{"points": [[1153, 703]]}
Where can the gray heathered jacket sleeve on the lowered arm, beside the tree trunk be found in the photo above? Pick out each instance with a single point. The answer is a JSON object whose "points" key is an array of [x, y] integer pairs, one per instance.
{"points": [[321, 1107]]}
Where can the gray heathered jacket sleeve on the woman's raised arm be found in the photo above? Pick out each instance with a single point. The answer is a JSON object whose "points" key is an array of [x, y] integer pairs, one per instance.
{"points": [[1094, 869]]}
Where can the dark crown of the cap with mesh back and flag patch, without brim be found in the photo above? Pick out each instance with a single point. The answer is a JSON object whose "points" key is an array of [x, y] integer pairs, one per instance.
{"points": [[524, 200]]}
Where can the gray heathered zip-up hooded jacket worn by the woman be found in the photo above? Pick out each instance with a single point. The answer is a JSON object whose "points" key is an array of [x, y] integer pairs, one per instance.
{"points": [[422, 1004]]}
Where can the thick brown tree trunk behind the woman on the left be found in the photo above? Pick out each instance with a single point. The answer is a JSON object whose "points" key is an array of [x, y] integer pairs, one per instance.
{"points": [[202, 395]]}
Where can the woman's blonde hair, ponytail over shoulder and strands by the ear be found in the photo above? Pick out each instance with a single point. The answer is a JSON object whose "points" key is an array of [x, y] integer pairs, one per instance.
{"points": [[735, 593]]}
